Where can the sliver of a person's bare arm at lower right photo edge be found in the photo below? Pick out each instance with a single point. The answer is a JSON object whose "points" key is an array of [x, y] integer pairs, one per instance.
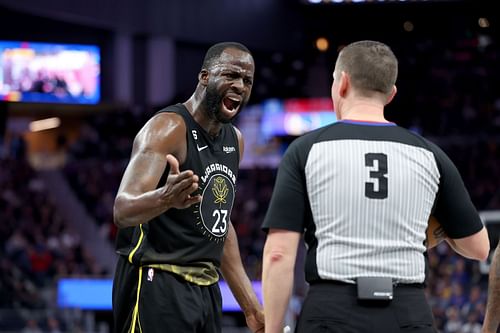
{"points": [[492, 319]]}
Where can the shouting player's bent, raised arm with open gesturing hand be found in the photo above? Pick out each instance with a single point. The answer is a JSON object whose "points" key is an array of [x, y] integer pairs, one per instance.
{"points": [[139, 199]]}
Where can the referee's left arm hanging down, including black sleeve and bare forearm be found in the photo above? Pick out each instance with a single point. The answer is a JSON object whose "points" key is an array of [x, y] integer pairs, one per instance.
{"points": [[284, 224]]}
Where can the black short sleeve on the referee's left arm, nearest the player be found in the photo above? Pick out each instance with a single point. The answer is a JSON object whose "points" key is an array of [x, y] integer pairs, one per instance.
{"points": [[289, 203]]}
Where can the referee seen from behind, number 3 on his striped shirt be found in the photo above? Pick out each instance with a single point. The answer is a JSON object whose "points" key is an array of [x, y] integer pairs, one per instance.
{"points": [[361, 191]]}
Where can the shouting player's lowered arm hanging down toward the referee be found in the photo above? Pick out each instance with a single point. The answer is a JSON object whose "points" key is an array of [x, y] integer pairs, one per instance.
{"points": [[234, 274]]}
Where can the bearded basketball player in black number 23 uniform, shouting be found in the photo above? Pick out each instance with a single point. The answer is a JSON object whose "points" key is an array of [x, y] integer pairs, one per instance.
{"points": [[174, 204]]}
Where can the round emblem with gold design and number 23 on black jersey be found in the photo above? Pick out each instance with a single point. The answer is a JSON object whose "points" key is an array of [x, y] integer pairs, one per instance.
{"points": [[216, 205]]}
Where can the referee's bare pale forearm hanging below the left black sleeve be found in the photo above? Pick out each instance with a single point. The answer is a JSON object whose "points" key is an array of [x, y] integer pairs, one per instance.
{"points": [[280, 252]]}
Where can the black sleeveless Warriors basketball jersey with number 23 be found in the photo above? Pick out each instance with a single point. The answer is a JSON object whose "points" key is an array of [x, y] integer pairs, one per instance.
{"points": [[187, 237]]}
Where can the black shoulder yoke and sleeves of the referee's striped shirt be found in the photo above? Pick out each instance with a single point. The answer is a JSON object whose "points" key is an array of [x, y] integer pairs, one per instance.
{"points": [[453, 207]]}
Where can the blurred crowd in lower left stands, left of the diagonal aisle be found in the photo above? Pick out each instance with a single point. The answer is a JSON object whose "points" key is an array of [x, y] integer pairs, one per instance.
{"points": [[38, 247]]}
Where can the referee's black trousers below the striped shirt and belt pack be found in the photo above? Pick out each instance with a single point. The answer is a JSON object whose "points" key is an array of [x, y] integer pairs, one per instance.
{"points": [[334, 308]]}
